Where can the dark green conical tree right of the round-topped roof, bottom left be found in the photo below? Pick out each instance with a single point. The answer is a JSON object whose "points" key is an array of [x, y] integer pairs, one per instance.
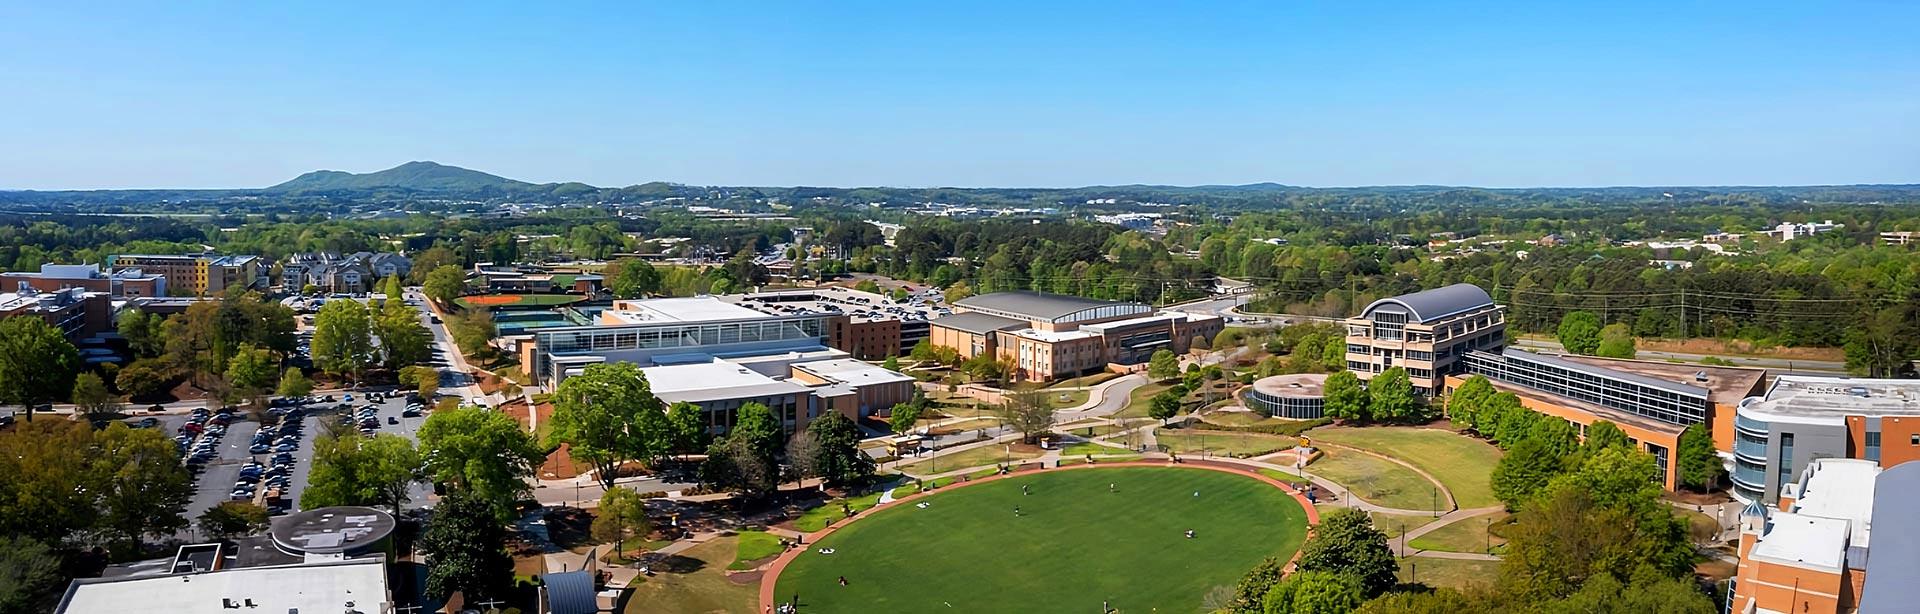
{"points": [[464, 540]]}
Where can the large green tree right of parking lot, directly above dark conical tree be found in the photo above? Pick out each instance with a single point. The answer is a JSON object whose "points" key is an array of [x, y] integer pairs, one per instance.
{"points": [[483, 454]]}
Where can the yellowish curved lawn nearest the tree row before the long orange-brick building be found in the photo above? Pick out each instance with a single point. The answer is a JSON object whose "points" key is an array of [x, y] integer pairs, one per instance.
{"points": [[1464, 465]]}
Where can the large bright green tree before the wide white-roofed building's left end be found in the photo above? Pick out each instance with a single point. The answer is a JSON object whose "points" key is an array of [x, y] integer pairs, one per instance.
{"points": [[598, 413]]}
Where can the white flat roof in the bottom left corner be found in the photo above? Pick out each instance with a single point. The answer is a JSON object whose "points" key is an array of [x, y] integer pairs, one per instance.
{"points": [[348, 586]]}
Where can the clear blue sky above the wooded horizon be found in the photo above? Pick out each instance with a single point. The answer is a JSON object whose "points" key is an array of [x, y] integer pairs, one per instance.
{"points": [[241, 95]]}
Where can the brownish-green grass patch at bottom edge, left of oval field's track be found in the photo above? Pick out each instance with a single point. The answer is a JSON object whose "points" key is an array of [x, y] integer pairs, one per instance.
{"points": [[702, 590]]}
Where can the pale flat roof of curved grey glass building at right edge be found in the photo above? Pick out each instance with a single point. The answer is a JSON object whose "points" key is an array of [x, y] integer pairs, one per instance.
{"points": [[1833, 400]]}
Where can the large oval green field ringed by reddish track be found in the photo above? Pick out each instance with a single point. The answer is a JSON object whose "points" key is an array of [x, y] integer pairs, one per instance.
{"points": [[969, 554]]}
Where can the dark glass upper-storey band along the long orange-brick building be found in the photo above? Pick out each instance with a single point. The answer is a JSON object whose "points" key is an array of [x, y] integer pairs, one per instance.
{"points": [[1593, 385]]}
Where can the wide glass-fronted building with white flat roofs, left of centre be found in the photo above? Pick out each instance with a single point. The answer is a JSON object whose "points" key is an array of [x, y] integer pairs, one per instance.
{"points": [[721, 356]]}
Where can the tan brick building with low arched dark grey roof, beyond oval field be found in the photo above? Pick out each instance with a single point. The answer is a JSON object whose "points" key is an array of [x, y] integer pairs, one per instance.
{"points": [[1051, 337]]}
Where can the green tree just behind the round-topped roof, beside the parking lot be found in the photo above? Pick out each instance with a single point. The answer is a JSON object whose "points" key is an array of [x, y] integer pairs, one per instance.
{"points": [[352, 469]]}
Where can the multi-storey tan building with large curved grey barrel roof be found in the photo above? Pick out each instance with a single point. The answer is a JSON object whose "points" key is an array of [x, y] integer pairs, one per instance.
{"points": [[1426, 333]]}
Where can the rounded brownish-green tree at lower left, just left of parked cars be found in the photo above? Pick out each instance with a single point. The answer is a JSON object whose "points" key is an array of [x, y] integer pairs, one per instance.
{"points": [[139, 483]]}
